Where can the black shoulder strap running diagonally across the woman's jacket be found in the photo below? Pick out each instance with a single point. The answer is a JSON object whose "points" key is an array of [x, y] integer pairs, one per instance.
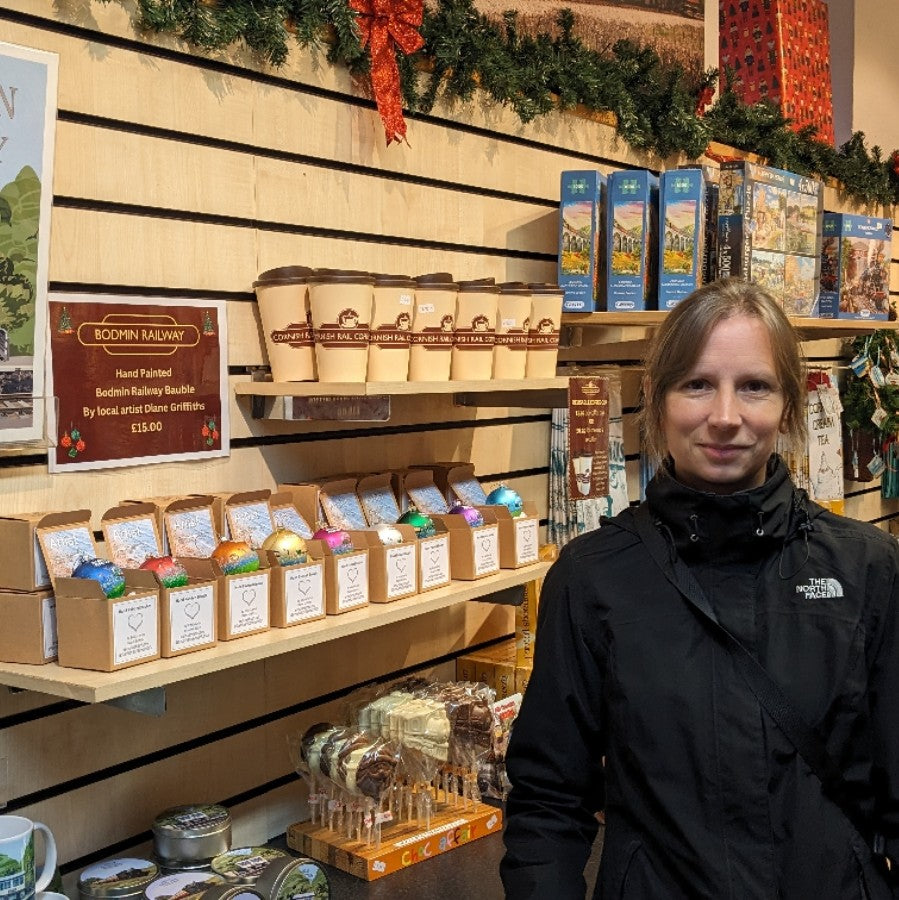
{"points": [[803, 737]]}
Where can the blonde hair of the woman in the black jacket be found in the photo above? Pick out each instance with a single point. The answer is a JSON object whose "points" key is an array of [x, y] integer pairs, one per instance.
{"points": [[680, 339]]}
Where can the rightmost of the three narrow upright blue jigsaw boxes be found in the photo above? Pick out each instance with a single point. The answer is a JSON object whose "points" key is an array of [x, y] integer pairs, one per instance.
{"points": [[682, 222]]}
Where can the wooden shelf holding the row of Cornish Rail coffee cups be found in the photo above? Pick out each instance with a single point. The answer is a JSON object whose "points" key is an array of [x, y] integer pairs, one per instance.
{"points": [[392, 388]]}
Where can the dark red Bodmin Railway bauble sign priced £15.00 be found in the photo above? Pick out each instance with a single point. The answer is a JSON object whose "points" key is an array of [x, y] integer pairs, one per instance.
{"points": [[137, 381]]}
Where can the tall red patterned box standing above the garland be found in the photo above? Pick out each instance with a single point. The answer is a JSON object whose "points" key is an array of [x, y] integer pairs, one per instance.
{"points": [[779, 50]]}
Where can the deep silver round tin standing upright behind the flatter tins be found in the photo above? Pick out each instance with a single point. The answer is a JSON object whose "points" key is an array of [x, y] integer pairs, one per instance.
{"points": [[186, 835]]}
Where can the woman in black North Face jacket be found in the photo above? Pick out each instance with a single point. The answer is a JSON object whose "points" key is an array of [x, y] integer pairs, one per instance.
{"points": [[636, 705]]}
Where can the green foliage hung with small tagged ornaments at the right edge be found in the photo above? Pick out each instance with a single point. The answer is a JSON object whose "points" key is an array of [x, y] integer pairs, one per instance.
{"points": [[871, 409]]}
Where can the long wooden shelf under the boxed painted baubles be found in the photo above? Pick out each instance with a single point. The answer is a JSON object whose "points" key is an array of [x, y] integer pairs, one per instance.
{"points": [[97, 687]]}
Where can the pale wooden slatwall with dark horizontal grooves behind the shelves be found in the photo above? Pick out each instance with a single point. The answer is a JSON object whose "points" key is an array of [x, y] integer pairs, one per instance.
{"points": [[182, 175]]}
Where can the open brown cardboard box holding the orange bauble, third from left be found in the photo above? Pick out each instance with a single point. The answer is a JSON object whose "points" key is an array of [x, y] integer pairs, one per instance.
{"points": [[243, 605]]}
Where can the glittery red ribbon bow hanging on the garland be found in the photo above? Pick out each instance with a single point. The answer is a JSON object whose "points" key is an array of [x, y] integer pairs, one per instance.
{"points": [[386, 25]]}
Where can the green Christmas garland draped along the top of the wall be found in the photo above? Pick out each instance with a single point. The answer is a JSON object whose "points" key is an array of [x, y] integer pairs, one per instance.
{"points": [[658, 106]]}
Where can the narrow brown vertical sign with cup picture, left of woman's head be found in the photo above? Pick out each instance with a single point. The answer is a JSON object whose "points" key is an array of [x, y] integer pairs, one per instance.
{"points": [[588, 437]]}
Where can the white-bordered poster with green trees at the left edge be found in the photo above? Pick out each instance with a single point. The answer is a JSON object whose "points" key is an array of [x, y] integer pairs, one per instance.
{"points": [[28, 80]]}
